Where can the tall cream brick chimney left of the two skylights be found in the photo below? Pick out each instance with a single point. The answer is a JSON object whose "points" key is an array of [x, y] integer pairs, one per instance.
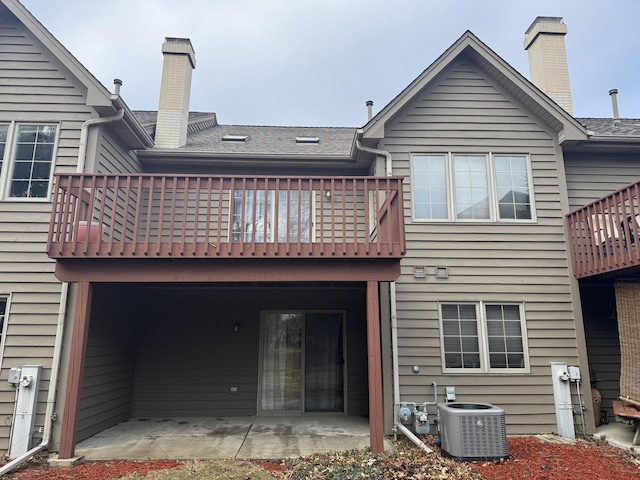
{"points": [[175, 90]]}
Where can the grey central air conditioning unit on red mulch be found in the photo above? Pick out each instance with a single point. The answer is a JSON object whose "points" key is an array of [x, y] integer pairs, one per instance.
{"points": [[472, 431]]}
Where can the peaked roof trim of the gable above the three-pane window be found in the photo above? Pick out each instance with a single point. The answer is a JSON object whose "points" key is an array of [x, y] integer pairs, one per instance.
{"points": [[499, 71]]}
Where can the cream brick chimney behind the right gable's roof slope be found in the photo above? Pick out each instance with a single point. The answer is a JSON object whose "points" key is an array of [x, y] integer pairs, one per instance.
{"points": [[544, 41]]}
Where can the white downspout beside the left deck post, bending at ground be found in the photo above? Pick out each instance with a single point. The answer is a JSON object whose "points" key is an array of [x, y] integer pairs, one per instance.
{"points": [[53, 385]]}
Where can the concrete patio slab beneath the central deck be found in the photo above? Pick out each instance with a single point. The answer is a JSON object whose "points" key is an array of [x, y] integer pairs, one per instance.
{"points": [[251, 437]]}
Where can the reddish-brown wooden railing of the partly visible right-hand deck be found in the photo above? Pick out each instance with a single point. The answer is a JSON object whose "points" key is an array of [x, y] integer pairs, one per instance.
{"points": [[604, 235]]}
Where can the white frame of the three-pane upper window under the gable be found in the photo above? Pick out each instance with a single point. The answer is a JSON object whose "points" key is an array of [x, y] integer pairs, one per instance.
{"points": [[494, 213]]}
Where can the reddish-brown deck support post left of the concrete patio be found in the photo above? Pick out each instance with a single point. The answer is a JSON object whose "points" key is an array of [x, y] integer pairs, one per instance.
{"points": [[77, 355]]}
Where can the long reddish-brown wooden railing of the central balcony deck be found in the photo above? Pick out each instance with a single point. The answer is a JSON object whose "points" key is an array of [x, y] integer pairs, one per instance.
{"points": [[166, 216]]}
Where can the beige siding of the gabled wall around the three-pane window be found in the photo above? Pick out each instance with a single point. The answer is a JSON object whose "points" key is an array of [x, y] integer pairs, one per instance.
{"points": [[461, 111]]}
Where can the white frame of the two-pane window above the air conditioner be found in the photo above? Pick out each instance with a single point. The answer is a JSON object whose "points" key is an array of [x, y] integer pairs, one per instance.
{"points": [[483, 339]]}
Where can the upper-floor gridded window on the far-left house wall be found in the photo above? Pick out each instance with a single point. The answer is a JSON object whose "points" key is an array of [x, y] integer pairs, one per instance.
{"points": [[26, 159]]}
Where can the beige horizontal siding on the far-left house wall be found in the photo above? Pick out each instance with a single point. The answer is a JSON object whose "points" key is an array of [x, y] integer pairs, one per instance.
{"points": [[32, 89]]}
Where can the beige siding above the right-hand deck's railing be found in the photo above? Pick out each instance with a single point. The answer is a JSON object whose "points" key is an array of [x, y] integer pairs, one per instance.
{"points": [[592, 176]]}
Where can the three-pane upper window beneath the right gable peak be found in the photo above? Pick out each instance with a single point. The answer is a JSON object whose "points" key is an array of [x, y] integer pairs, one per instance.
{"points": [[471, 187]]}
